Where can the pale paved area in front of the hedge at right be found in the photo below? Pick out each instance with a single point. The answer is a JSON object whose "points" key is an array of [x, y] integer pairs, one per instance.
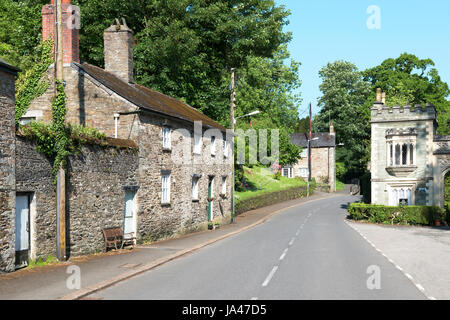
{"points": [[421, 253]]}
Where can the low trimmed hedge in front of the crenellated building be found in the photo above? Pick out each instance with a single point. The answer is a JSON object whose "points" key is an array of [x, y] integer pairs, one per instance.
{"points": [[411, 215]]}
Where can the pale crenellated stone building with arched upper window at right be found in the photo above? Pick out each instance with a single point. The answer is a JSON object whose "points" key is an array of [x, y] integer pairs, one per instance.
{"points": [[408, 161]]}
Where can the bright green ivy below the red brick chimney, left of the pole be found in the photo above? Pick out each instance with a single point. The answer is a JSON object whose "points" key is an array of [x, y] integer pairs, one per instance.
{"points": [[32, 83]]}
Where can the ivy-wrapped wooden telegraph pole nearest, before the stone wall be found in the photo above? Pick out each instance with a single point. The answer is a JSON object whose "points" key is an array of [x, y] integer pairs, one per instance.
{"points": [[61, 178]]}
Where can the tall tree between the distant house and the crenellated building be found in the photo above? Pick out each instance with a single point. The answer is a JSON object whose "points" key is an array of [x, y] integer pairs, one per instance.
{"points": [[344, 95]]}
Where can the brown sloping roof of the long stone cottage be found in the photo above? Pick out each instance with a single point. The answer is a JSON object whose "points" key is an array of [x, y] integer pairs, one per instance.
{"points": [[148, 99]]}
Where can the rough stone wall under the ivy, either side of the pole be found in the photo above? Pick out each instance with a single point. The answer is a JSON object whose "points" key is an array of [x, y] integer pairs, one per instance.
{"points": [[96, 178]]}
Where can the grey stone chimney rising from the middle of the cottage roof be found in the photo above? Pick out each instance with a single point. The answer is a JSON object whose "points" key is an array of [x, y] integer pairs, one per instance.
{"points": [[118, 40]]}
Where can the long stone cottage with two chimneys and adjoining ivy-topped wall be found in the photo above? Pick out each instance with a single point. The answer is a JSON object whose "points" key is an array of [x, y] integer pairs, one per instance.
{"points": [[166, 170]]}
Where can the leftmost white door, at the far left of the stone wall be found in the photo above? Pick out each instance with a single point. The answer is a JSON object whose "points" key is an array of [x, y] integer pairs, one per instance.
{"points": [[22, 223]]}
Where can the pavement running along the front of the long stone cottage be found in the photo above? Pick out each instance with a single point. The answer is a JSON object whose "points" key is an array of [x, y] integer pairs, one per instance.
{"points": [[100, 271]]}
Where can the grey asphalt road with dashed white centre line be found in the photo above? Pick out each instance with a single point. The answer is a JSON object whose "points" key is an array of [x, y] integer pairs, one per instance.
{"points": [[306, 252]]}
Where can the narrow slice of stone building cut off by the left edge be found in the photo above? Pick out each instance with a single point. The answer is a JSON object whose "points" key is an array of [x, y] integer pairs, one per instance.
{"points": [[7, 168]]}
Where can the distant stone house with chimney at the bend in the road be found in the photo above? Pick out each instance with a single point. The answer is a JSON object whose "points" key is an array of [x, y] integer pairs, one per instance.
{"points": [[323, 157]]}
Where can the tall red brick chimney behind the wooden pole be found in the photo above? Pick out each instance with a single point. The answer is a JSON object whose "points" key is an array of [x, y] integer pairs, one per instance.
{"points": [[70, 17]]}
